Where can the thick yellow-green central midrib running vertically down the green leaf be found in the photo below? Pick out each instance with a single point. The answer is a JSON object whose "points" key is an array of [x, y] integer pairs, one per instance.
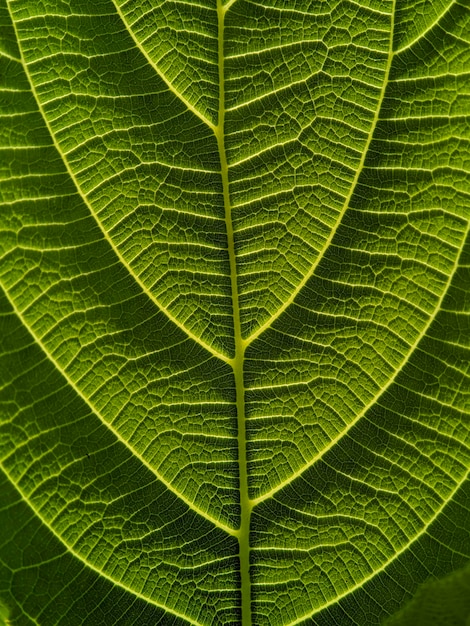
{"points": [[240, 346]]}
